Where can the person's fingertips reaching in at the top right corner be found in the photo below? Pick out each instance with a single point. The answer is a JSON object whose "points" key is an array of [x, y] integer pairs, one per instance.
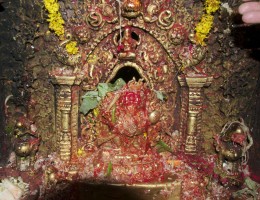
{"points": [[250, 12]]}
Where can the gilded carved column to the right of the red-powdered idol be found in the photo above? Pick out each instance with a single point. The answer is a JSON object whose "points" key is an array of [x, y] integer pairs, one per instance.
{"points": [[195, 103]]}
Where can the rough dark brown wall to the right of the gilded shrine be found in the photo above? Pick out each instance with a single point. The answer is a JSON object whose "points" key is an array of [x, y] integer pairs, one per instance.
{"points": [[234, 93]]}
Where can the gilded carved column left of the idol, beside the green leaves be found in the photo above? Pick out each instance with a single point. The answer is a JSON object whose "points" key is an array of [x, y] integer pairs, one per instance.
{"points": [[63, 114]]}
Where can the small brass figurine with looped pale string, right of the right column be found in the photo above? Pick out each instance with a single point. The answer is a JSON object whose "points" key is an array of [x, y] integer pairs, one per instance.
{"points": [[232, 146]]}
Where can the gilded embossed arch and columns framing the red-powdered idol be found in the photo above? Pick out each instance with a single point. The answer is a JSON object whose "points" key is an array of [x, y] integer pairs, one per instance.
{"points": [[151, 38]]}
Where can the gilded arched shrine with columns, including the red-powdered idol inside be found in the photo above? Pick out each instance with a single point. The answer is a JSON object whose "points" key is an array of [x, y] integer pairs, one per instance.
{"points": [[143, 55]]}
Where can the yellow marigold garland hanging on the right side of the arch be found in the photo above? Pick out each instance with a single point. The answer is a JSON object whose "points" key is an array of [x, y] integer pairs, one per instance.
{"points": [[204, 26]]}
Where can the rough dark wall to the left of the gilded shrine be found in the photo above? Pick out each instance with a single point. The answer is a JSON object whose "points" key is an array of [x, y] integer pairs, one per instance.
{"points": [[20, 24]]}
